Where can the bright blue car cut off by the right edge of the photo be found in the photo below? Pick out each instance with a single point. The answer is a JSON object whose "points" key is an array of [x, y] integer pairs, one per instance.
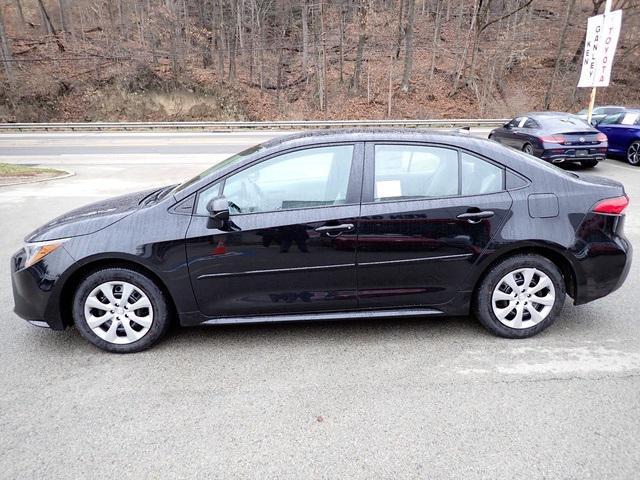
{"points": [[623, 131]]}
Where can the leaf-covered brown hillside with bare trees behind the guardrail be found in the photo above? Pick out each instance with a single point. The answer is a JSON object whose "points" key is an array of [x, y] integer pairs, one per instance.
{"points": [[90, 60]]}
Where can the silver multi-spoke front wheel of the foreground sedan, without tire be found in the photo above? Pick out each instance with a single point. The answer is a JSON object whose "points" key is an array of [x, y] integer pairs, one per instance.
{"points": [[118, 312]]}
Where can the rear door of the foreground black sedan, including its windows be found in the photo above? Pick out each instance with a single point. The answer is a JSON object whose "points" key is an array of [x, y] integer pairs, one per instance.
{"points": [[428, 212]]}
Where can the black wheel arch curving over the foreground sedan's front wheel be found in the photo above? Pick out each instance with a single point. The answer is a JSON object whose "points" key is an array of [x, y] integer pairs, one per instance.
{"points": [[73, 280]]}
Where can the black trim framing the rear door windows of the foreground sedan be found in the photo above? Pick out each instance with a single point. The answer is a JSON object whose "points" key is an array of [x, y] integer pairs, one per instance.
{"points": [[368, 188]]}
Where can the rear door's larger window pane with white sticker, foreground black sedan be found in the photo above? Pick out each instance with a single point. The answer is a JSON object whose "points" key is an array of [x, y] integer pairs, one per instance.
{"points": [[406, 172]]}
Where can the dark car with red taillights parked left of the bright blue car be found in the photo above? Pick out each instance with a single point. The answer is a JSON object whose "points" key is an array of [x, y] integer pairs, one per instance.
{"points": [[554, 137]]}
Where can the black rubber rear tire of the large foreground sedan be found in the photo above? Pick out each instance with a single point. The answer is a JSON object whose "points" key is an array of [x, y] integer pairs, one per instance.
{"points": [[482, 306]]}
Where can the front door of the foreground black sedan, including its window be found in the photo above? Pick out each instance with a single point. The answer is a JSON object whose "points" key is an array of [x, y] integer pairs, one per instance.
{"points": [[279, 251]]}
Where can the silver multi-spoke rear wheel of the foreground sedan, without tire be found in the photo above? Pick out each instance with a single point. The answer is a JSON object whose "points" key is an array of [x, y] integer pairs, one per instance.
{"points": [[523, 298]]}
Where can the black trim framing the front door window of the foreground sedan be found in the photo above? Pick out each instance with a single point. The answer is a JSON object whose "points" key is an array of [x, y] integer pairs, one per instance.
{"points": [[354, 183]]}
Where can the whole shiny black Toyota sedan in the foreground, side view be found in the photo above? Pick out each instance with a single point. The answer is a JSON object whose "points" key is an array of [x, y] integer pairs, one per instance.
{"points": [[330, 226]]}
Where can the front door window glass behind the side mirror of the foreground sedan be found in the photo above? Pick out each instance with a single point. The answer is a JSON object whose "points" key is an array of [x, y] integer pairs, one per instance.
{"points": [[302, 179]]}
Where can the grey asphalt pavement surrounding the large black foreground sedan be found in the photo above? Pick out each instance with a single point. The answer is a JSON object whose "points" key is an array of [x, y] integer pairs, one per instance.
{"points": [[433, 398]]}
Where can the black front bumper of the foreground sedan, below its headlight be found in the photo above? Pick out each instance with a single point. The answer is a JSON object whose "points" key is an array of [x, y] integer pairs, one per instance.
{"points": [[36, 290]]}
